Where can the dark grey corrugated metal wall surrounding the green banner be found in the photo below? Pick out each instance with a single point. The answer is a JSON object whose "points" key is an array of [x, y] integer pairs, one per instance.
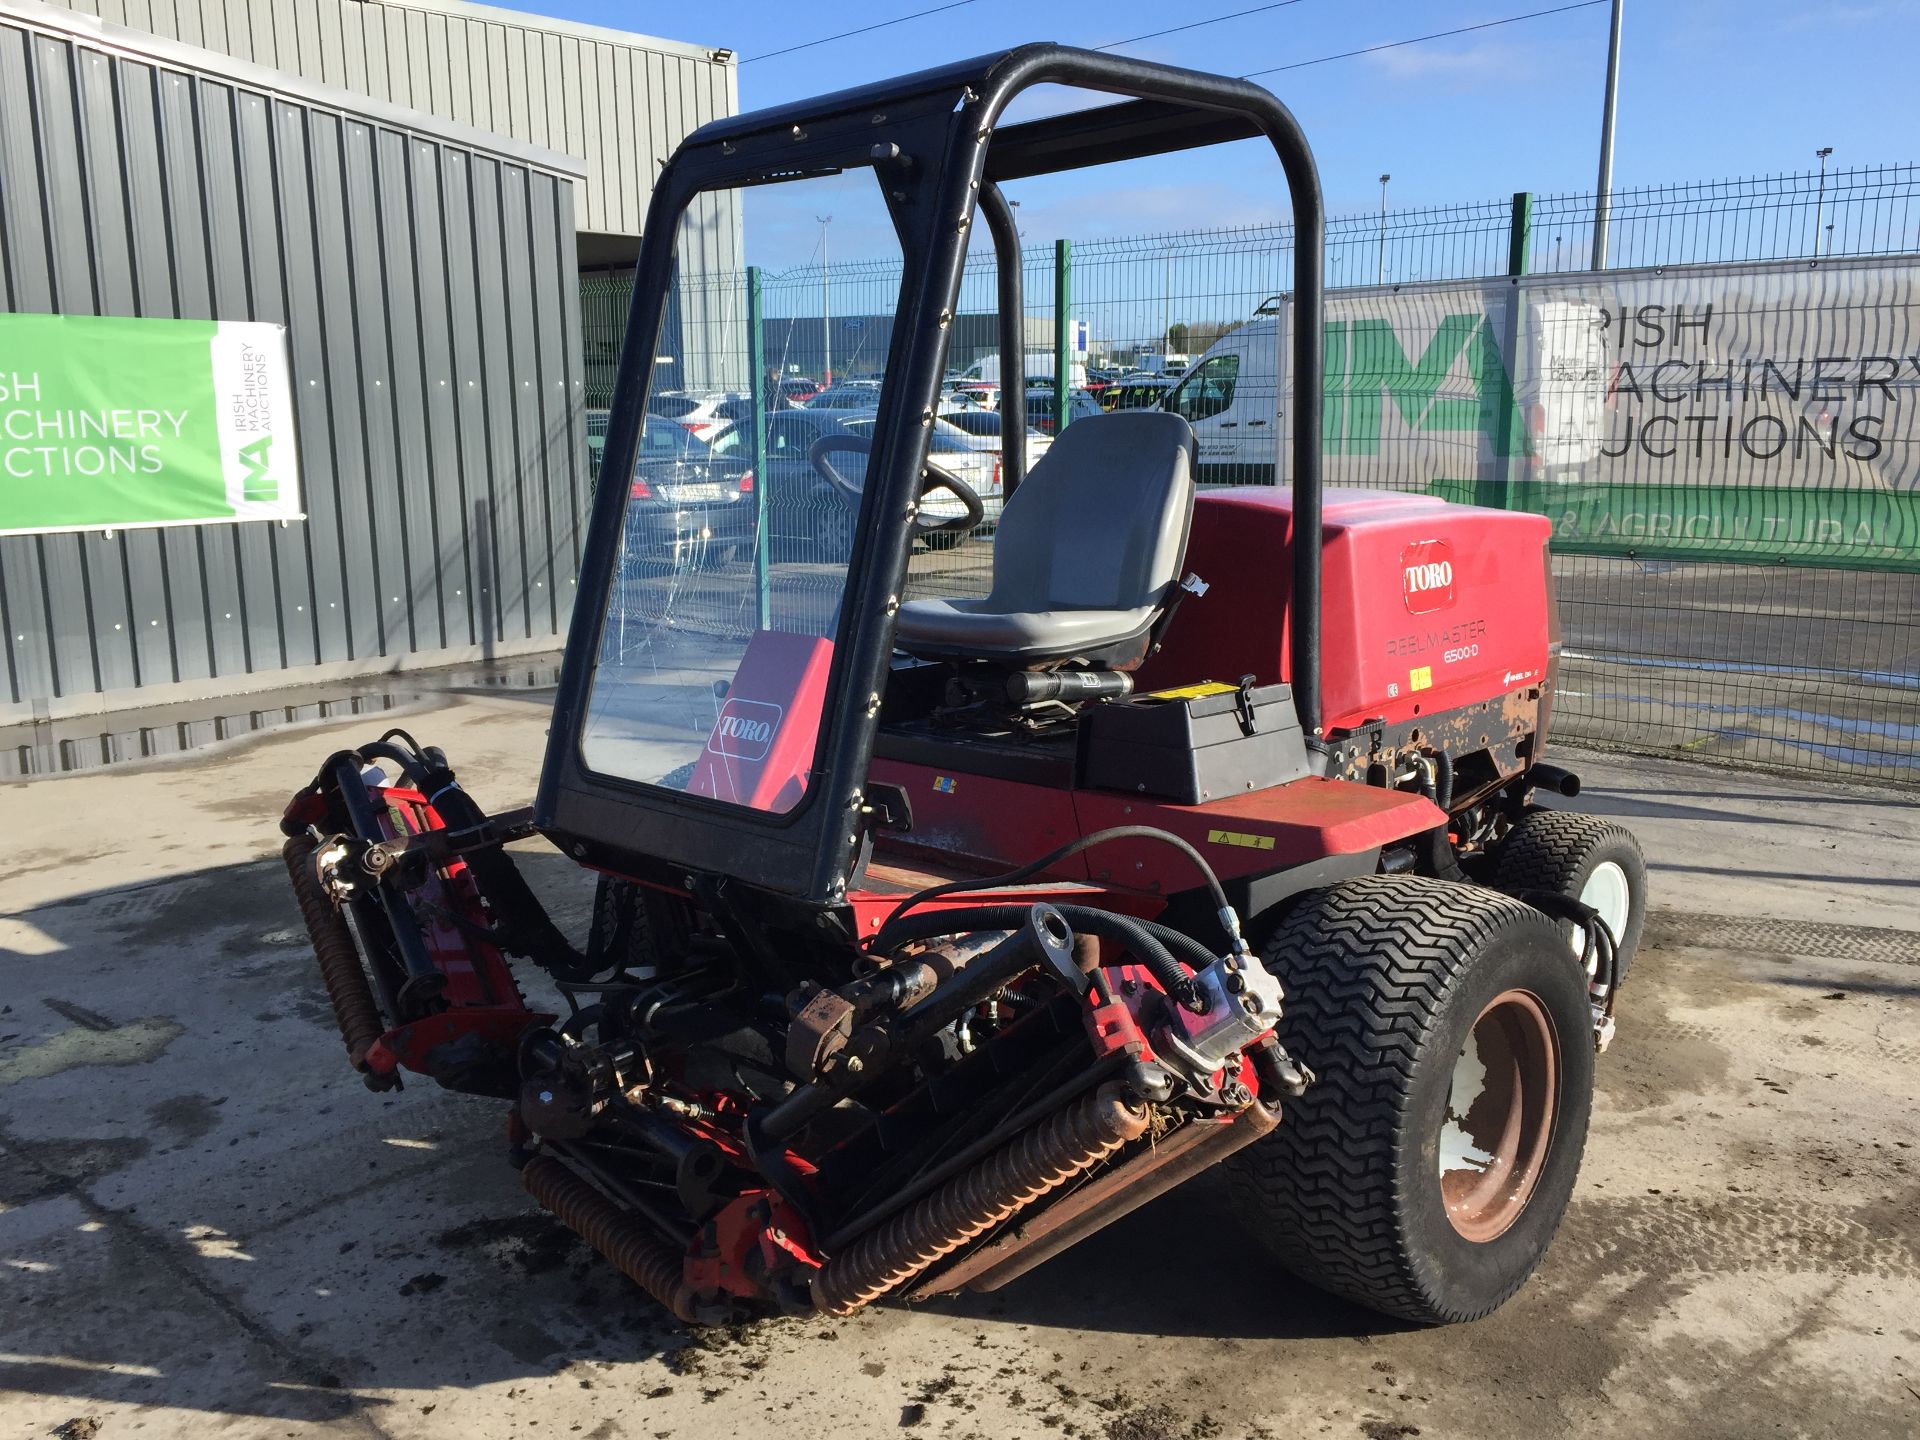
{"points": [[429, 289]]}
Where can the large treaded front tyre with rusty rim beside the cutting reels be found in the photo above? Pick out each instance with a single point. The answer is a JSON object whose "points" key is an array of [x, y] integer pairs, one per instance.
{"points": [[1412, 1178]]}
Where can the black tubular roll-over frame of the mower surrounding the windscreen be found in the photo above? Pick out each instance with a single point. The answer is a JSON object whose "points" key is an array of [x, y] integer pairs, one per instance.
{"points": [[936, 151]]}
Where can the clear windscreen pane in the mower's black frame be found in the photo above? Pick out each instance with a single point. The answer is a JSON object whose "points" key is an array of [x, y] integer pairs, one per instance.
{"points": [[744, 500]]}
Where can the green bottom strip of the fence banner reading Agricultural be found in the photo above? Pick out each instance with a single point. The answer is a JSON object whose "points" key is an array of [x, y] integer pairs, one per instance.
{"points": [[1846, 529]]}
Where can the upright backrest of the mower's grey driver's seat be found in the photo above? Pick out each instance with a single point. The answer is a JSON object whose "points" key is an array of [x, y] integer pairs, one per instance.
{"points": [[1101, 523]]}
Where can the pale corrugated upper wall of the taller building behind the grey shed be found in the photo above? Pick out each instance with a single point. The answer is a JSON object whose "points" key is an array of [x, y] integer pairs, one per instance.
{"points": [[621, 103]]}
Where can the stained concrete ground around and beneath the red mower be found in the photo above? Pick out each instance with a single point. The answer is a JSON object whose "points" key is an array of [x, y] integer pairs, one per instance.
{"points": [[210, 1228]]}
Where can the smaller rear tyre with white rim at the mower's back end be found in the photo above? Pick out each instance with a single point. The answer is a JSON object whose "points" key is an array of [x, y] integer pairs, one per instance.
{"points": [[1587, 859]]}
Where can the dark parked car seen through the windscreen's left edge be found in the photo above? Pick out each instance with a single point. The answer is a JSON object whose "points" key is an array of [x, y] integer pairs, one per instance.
{"points": [[686, 502]]}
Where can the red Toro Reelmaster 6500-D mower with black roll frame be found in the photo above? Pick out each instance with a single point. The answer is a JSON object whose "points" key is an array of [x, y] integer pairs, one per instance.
{"points": [[948, 913]]}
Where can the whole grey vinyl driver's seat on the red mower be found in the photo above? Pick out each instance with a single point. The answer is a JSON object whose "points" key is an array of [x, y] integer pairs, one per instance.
{"points": [[1086, 558]]}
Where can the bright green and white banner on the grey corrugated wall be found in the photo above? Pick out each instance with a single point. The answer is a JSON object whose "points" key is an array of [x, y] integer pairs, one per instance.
{"points": [[118, 423]]}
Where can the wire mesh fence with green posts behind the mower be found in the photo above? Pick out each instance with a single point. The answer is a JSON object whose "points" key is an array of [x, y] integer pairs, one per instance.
{"points": [[1717, 427]]}
